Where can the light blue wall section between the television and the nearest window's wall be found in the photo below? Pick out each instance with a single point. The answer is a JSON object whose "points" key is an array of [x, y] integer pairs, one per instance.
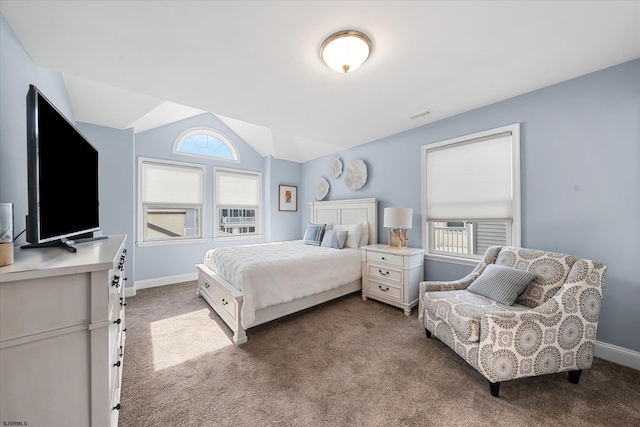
{"points": [[116, 178]]}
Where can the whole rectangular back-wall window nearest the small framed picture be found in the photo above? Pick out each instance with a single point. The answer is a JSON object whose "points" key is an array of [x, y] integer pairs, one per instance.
{"points": [[237, 203]]}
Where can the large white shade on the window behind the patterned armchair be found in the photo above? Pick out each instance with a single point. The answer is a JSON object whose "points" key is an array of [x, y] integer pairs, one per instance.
{"points": [[470, 180]]}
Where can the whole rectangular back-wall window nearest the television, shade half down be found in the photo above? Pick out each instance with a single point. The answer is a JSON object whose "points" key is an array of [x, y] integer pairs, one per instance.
{"points": [[170, 201]]}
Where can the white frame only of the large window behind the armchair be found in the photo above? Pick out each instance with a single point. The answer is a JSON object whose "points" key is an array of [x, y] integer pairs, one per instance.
{"points": [[514, 227]]}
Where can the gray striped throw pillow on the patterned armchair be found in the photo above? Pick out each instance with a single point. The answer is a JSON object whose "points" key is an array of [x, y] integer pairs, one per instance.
{"points": [[501, 284]]}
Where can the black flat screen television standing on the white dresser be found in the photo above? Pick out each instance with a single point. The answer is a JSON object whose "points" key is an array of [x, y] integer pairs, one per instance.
{"points": [[62, 177]]}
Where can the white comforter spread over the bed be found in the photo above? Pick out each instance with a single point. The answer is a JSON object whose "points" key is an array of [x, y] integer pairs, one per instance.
{"points": [[274, 273]]}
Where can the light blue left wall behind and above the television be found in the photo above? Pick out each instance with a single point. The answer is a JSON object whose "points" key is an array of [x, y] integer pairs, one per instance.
{"points": [[17, 72]]}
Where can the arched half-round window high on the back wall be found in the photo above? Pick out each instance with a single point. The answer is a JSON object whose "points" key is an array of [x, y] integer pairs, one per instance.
{"points": [[206, 142]]}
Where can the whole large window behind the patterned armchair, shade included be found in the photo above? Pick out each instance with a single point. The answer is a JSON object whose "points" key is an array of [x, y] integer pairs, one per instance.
{"points": [[471, 194]]}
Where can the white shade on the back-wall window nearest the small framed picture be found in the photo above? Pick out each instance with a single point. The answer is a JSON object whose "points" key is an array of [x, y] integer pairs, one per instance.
{"points": [[237, 189]]}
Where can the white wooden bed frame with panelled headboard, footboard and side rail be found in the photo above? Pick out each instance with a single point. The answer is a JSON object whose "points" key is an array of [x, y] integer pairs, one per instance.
{"points": [[226, 299]]}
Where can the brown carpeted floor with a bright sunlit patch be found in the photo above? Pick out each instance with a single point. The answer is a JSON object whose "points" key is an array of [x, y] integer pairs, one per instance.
{"points": [[345, 363]]}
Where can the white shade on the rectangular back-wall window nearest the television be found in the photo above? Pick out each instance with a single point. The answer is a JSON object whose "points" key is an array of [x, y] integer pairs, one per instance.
{"points": [[171, 184]]}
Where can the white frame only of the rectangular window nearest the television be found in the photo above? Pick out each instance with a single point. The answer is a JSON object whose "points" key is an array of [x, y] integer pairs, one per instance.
{"points": [[142, 207]]}
